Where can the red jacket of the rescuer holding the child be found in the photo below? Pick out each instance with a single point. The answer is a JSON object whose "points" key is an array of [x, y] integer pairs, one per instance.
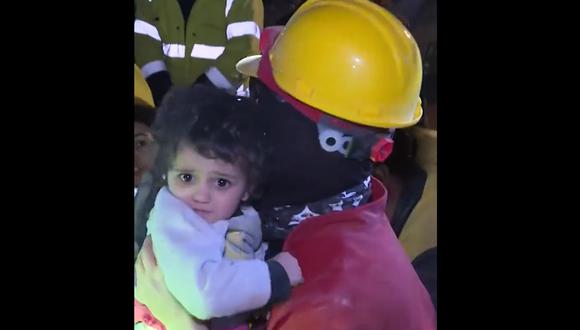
{"points": [[356, 275]]}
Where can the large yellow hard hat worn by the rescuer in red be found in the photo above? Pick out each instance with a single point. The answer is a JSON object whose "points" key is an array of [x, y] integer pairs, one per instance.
{"points": [[351, 59]]}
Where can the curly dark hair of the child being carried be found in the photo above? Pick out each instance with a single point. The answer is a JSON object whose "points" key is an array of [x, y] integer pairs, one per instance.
{"points": [[217, 125]]}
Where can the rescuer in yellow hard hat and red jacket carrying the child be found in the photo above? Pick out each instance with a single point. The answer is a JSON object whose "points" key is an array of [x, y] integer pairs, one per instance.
{"points": [[331, 85]]}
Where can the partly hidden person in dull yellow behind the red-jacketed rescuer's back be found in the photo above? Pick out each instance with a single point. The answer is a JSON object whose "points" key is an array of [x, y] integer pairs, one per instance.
{"points": [[410, 175]]}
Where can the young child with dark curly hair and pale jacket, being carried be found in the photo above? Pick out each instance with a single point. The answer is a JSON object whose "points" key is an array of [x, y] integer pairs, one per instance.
{"points": [[210, 154]]}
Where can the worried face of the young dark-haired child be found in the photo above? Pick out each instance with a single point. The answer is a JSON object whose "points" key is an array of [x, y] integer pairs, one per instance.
{"points": [[211, 187]]}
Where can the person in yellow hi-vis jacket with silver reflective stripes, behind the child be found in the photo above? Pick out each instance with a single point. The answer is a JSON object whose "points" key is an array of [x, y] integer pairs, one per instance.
{"points": [[179, 42]]}
